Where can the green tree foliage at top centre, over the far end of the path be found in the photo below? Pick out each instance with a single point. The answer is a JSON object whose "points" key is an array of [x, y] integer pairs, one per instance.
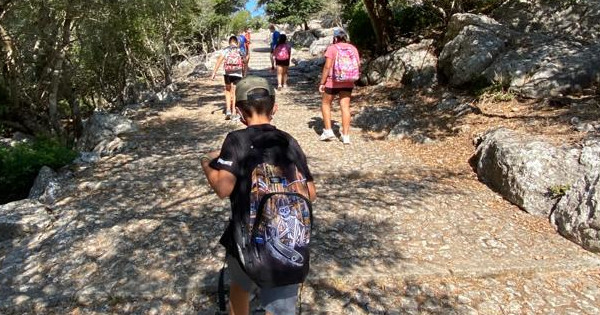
{"points": [[292, 12]]}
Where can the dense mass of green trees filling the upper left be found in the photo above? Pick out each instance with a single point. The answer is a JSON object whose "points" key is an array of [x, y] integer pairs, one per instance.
{"points": [[63, 58]]}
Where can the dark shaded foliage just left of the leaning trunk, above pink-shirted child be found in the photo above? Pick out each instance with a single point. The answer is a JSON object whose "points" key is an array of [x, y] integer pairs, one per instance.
{"points": [[359, 26]]}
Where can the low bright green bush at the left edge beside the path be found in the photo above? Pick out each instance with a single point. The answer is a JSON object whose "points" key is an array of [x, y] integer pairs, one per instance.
{"points": [[20, 164]]}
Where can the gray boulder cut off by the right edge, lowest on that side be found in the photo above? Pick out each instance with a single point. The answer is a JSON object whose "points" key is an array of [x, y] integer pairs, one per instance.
{"points": [[577, 215]]}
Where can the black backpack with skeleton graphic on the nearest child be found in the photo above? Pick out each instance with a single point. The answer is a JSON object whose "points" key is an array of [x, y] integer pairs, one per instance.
{"points": [[274, 233]]}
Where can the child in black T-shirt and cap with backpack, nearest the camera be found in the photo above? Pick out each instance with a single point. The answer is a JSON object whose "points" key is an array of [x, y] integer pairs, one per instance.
{"points": [[264, 173]]}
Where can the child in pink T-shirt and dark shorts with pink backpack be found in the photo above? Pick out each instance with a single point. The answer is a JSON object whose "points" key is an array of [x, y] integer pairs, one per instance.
{"points": [[341, 70]]}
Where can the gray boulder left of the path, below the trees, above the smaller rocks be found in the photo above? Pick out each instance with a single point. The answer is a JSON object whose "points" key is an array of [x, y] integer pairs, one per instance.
{"points": [[103, 129]]}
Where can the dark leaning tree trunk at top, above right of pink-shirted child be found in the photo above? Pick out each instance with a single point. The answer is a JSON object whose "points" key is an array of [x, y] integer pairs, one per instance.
{"points": [[380, 16]]}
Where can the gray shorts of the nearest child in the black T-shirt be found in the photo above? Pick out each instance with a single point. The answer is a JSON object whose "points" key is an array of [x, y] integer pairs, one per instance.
{"points": [[278, 300]]}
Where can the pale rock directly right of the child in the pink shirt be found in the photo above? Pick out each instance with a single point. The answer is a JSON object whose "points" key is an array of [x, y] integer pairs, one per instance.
{"points": [[414, 64]]}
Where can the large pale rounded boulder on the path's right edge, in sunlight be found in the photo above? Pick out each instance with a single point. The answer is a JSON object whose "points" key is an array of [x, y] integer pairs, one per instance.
{"points": [[524, 169]]}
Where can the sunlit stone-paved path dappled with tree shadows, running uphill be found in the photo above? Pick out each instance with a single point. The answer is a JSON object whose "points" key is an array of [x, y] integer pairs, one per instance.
{"points": [[138, 232]]}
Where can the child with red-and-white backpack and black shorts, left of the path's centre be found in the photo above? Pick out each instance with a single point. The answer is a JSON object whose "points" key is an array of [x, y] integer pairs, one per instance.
{"points": [[233, 66]]}
